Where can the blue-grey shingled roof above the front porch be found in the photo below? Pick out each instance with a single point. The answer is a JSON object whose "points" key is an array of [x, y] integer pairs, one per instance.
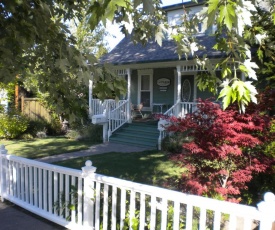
{"points": [[126, 52]]}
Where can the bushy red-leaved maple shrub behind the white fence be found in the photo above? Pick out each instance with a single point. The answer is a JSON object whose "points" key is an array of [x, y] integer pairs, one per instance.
{"points": [[226, 149]]}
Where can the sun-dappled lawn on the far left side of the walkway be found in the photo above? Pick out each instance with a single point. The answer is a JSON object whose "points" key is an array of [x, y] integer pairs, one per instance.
{"points": [[49, 146]]}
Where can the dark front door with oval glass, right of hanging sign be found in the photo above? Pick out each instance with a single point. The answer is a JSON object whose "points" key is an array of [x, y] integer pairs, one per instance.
{"points": [[187, 88]]}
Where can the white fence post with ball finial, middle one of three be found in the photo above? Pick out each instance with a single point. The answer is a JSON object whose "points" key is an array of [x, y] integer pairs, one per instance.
{"points": [[88, 212]]}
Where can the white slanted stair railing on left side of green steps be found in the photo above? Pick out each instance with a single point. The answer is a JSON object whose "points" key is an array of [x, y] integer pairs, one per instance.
{"points": [[118, 116]]}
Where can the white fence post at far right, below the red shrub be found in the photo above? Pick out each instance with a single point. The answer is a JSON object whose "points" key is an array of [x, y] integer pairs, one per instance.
{"points": [[266, 207]]}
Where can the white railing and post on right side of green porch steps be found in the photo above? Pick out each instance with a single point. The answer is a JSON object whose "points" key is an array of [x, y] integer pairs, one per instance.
{"points": [[180, 109]]}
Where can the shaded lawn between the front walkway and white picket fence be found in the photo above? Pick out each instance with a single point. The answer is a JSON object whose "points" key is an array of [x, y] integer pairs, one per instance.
{"points": [[148, 167]]}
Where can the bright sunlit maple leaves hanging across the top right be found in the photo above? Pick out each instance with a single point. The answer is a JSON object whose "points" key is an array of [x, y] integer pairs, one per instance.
{"points": [[241, 26]]}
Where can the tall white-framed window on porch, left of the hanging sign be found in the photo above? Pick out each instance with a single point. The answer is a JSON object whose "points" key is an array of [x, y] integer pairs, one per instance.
{"points": [[145, 89]]}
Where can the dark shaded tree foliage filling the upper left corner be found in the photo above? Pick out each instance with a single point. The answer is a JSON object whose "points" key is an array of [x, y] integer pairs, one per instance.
{"points": [[38, 49]]}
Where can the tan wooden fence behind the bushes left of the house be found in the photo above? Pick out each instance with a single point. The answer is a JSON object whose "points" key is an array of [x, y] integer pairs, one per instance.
{"points": [[33, 108]]}
